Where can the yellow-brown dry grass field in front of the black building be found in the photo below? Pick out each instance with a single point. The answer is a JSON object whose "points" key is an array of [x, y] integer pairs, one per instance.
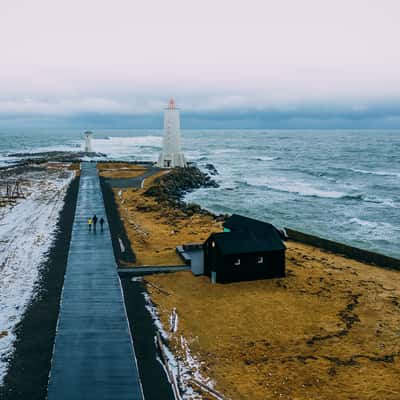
{"points": [[330, 330]]}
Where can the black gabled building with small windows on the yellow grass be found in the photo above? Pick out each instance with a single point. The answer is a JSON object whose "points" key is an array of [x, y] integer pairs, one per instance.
{"points": [[247, 250]]}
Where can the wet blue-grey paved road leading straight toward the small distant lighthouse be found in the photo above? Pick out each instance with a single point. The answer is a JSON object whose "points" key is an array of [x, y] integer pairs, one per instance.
{"points": [[93, 354]]}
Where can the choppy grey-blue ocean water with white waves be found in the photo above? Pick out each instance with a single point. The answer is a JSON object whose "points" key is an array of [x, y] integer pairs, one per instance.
{"points": [[343, 185]]}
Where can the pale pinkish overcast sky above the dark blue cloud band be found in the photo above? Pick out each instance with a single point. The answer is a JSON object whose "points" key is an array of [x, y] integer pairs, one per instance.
{"points": [[126, 56]]}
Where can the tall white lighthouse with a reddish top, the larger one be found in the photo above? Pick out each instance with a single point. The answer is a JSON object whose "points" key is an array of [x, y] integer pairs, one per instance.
{"points": [[171, 155]]}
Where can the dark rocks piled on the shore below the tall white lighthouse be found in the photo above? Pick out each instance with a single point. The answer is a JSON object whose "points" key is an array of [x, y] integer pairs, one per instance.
{"points": [[170, 188]]}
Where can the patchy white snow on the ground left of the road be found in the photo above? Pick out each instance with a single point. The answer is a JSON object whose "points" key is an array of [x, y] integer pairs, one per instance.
{"points": [[27, 230]]}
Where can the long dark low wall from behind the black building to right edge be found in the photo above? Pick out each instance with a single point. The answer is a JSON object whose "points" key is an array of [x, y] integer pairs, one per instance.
{"points": [[348, 251]]}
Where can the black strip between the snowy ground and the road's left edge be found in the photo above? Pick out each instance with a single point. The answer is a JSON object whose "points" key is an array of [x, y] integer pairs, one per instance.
{"points": [[29, 365]]}
